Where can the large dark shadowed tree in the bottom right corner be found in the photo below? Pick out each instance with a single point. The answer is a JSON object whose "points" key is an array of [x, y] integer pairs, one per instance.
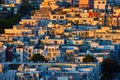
{"points": [[109, 67]]}
